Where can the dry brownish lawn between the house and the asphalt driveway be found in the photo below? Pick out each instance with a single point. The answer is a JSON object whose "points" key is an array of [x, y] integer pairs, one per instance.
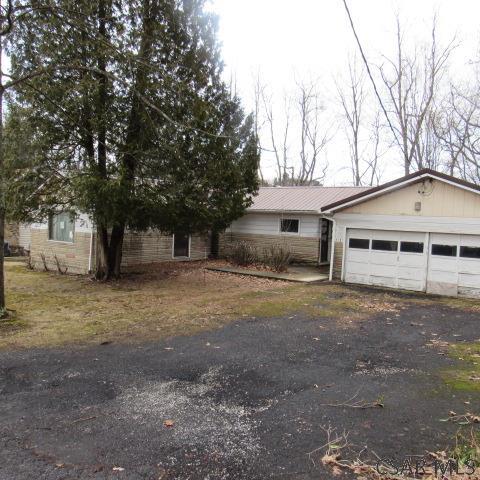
{"points": [[162, 300]]}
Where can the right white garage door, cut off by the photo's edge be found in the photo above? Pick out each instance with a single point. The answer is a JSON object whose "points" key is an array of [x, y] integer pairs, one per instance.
{"points": [[454, 265]]}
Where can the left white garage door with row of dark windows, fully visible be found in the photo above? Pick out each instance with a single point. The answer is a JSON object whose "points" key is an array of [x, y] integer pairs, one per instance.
{"points": [[385, 258]]}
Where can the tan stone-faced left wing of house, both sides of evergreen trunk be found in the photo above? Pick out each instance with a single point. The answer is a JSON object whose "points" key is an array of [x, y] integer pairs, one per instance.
{"points": [[71, 243]]}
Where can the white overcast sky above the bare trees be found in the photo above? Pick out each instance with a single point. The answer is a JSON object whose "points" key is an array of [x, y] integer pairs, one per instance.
{"points": [[312, 39]]}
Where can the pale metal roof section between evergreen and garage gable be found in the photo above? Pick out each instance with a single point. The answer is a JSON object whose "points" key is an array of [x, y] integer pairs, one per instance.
{"points": [[300, 199]]}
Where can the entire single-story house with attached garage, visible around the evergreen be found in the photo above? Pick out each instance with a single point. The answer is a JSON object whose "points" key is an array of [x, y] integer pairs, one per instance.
{"points": [[420, 232]]}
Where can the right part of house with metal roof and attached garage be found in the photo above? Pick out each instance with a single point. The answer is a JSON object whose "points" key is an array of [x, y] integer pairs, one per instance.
{"points": [[420, 232]]}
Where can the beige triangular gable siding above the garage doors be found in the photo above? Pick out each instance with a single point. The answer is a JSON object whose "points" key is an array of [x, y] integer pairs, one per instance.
{"points": [[440, 200]]}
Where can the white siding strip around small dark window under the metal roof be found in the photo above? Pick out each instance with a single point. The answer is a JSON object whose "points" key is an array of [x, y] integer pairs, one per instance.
{"points": [[269, 224]]}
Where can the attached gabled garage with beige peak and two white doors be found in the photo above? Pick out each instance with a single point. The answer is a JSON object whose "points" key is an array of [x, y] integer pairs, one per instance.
{"points": [[421, 233]]}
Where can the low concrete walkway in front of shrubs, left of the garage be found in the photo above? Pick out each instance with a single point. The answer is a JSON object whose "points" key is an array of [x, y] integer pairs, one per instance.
{"points": [[295, 273]]}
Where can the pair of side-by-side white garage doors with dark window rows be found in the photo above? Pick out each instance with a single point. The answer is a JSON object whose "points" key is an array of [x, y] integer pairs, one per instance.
{"points": [[437, 263]]}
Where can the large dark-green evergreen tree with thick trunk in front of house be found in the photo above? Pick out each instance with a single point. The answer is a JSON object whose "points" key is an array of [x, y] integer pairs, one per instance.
{"points": [[130, 119]]}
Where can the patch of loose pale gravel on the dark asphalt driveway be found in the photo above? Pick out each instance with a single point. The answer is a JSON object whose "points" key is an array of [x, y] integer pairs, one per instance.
{"points": [[225, 429]]}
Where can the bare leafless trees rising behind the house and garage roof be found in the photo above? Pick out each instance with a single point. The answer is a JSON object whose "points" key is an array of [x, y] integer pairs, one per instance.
{"points": [[406, 106]]}
